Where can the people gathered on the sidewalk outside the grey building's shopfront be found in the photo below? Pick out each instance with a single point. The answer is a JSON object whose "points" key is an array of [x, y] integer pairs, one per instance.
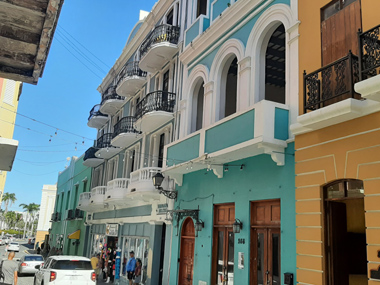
{"points": [[104, 265]]}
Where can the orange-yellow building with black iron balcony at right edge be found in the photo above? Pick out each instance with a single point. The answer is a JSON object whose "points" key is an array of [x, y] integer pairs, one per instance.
{"points": [[338, 143]]}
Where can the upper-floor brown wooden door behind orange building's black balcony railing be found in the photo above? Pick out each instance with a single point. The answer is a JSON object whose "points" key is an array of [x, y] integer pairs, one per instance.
{"points": [[341, 20]]}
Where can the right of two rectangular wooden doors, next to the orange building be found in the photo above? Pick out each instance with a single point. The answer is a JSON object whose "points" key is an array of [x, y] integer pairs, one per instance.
{"points": [[265, 243]]}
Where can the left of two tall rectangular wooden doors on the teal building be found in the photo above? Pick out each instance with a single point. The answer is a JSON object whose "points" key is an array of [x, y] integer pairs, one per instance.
{"points": [[223, 263]]}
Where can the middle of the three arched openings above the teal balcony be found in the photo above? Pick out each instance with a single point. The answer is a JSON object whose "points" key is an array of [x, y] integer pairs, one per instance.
{"points": [[228, 89]]}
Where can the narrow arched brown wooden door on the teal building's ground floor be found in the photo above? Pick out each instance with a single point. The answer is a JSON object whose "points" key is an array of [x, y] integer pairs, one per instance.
{"points": [[187, 253]]}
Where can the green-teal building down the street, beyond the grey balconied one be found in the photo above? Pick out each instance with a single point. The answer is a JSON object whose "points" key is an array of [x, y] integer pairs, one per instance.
{"points": [[69, 231]]}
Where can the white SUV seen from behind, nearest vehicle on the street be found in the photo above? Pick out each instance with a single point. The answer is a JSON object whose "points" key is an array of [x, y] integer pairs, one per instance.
{"points": [[65, 269]]}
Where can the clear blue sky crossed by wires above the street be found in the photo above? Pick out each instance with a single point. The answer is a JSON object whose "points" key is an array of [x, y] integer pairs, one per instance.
{"points": [[67, 91]]}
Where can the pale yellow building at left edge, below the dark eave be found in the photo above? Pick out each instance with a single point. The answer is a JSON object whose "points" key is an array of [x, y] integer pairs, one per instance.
{"points": [[10, 92]]}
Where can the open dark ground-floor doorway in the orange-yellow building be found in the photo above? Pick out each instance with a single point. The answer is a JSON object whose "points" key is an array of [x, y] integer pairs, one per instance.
{"points": [[345, 240]]}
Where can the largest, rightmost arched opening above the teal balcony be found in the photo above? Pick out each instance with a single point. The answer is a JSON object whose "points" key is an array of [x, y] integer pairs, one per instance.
{"points": [[275, 67]]}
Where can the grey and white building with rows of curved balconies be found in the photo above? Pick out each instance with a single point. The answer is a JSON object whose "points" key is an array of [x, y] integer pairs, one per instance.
{"points": [[135, 120]]}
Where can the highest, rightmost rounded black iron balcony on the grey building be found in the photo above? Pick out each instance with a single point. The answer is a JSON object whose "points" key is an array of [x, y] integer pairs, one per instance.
{"points": [[159, 47]]}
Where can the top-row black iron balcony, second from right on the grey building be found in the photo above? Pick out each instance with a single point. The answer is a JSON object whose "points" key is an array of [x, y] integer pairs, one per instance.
{"points": [[130, 79]]}
